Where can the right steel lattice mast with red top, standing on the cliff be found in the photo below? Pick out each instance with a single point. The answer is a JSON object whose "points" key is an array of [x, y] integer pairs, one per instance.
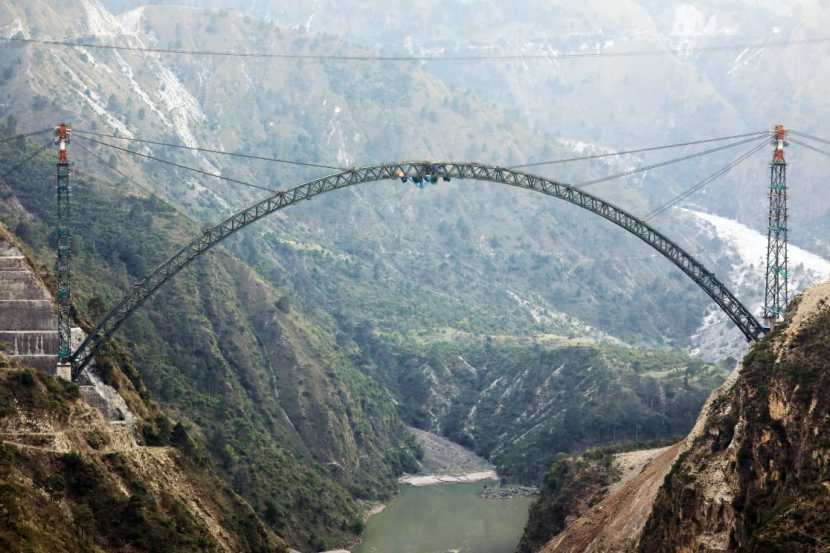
{"points": [[776, 294]]}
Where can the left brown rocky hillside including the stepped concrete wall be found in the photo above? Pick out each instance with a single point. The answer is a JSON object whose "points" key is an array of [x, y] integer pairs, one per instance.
{"points": [[89, 468]]}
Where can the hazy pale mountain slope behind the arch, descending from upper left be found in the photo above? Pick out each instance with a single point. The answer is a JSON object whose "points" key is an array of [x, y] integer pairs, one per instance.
{"points": [[525, 255]]}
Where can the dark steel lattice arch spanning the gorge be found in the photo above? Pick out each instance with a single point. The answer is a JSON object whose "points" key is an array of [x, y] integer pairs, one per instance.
{"points": [[418, 172]]}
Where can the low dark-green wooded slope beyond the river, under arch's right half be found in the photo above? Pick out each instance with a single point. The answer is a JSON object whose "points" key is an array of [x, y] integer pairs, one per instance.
{"points": [[520, 402]]}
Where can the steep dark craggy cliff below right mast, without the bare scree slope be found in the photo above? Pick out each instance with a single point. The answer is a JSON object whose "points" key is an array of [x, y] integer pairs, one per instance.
{"points": [[758, 477]]}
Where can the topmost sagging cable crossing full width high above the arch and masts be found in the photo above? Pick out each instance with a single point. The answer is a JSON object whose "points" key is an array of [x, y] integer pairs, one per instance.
{"points": [[552, 56]]}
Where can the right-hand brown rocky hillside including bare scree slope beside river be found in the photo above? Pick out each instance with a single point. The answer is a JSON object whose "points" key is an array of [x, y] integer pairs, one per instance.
{"points": [[752, 475]]}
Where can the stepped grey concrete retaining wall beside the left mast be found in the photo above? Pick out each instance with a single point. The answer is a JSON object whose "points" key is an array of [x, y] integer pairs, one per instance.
{"points": [[28, 322]]}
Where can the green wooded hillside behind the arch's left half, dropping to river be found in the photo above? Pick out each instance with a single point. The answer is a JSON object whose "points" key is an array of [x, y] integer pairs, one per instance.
{"points": [[286, 417]]}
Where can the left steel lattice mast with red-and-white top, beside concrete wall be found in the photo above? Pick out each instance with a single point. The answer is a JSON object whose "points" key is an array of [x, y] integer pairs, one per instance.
{"points": [[64, 253]]}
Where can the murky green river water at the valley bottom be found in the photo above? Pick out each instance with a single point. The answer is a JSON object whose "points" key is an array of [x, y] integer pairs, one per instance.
{"points": [[446, 517]]}
